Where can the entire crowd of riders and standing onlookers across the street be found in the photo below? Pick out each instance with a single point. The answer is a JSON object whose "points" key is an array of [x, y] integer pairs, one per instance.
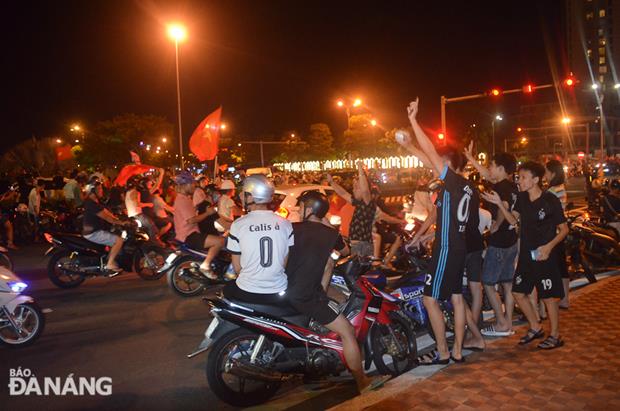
{"points": [[520, 211]]}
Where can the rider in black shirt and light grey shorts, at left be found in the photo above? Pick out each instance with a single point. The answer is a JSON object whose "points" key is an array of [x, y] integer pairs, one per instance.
{"points": [[96, 224]]}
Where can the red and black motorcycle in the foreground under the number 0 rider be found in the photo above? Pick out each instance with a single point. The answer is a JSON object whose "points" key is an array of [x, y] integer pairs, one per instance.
{"points": [[253, 348]]}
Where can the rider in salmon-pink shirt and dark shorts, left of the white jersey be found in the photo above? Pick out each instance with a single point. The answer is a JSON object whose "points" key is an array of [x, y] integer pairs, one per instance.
{"points": [[186, 221]]}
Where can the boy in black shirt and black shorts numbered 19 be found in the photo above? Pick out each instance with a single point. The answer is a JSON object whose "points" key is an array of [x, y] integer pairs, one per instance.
{"points": [[543, 226]]}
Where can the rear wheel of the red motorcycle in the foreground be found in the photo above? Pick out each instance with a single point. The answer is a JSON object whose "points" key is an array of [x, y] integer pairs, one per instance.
{"points": [[236, 391]]}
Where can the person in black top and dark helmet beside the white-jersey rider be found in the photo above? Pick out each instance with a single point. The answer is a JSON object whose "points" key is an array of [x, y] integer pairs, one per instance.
{"points": [[314, 242]]}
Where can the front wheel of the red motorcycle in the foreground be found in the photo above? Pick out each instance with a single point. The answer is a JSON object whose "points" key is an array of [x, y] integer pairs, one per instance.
{"points": [[383, 347]]}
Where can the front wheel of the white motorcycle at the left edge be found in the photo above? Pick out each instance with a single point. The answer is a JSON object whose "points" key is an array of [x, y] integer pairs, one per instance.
{"points": [[30, 317]]}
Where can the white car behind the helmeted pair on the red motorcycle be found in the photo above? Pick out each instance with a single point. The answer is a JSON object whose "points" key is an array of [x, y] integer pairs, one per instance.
{"points": [[285, 201]]}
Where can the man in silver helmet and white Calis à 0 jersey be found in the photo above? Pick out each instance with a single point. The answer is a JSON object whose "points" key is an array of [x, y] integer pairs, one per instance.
{"points": [[259, 243]]}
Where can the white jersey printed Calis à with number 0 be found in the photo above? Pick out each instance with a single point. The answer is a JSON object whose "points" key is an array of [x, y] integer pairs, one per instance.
{"points": [[262, 238]]}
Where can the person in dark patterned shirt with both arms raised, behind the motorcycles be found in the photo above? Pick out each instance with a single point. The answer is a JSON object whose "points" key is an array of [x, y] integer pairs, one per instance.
{"points": [[360, 229]]}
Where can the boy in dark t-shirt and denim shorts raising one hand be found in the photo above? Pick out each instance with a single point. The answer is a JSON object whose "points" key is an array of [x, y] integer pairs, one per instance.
{"points": [[499, 261]]}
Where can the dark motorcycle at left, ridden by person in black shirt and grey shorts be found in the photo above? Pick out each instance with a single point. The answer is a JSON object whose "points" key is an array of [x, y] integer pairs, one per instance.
{"points": [[74, 258]]}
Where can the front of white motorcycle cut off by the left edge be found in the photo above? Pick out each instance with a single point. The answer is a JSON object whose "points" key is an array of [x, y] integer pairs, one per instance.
{"points": [[21, 319]]}
